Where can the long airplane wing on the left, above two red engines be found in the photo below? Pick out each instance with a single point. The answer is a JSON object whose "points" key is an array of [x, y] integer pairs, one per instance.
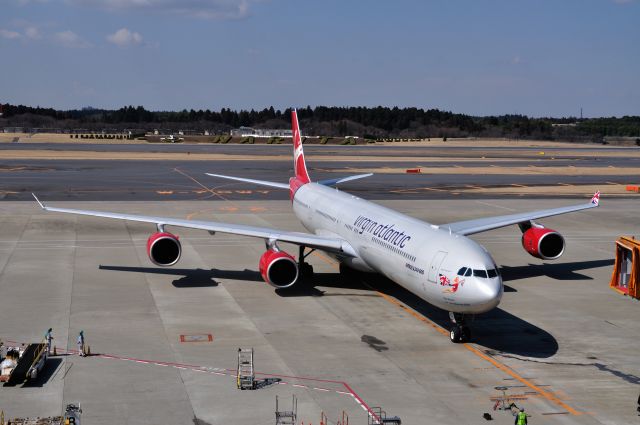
{"points": [[336, 245]]}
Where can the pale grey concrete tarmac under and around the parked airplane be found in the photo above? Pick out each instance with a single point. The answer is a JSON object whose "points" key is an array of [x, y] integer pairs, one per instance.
{"points": [[562, 343]]}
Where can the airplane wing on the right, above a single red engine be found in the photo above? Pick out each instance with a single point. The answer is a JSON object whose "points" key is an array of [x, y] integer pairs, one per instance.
{"points": [[470, 227]]}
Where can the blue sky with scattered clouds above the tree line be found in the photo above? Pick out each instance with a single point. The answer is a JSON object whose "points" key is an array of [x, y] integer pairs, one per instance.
{"points": [[479, 57]]}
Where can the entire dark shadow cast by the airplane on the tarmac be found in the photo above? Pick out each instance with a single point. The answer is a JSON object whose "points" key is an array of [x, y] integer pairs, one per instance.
{"points": [[497, 330]]}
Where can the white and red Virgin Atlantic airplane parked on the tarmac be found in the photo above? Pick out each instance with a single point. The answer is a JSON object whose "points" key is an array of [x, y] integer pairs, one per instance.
{"points": [[438, 263]]}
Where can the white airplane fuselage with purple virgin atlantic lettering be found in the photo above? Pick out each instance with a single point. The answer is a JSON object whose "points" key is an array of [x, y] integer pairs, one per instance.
{"points": [[447, 270]]}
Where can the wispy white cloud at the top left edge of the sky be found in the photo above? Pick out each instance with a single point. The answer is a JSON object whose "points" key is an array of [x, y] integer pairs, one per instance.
{"points": [[206, 9]]}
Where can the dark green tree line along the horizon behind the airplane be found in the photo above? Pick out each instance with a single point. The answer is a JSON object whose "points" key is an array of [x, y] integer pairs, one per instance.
{"points": [[369, 122]]}
